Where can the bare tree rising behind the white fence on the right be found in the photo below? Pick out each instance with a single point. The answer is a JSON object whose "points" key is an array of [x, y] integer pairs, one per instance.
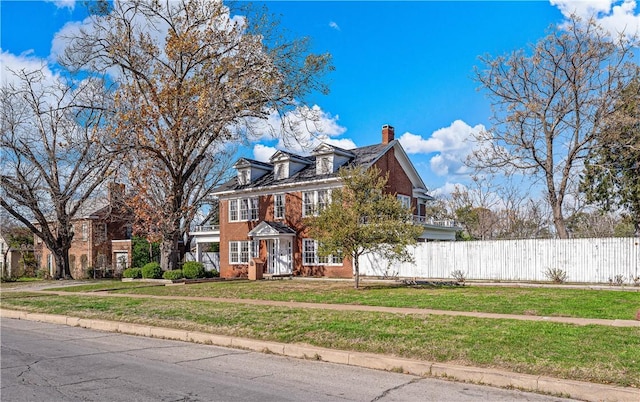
{"points": [[550, 104]]}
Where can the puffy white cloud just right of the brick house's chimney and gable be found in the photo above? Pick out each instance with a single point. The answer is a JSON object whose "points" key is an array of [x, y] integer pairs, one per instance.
{"points": [[452, 145]]}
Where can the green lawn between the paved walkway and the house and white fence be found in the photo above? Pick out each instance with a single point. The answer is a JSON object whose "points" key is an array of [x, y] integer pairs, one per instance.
{"points": [[581, 303]]}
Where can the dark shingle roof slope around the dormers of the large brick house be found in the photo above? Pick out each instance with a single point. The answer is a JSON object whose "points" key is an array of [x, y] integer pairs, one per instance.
{"points": [[363, 156]]}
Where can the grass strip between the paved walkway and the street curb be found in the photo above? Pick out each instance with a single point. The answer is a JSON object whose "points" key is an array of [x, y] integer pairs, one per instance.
{"points": [[588, 353]]}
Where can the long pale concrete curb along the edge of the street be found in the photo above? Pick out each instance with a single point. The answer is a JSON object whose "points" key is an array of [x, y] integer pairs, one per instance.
{"points": [[486, 376]]}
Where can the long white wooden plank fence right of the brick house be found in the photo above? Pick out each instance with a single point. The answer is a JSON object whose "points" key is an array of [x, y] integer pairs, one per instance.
{"points": [[584, 260]]}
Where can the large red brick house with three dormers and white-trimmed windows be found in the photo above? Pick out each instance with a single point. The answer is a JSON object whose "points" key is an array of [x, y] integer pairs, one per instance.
{"points": [[262, 210]]}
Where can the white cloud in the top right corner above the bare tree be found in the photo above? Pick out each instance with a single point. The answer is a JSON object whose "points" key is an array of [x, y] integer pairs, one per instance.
{"points": [[615, 16]]}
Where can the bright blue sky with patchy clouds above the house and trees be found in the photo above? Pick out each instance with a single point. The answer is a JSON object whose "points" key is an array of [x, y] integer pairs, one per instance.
{"points": [[409, 64]]}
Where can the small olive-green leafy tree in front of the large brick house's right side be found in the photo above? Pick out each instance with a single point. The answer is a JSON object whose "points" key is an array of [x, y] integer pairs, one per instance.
{"points": [[363, 218]]}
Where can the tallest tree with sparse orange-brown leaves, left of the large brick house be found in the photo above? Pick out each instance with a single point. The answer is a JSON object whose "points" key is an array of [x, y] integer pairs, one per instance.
{"points": [[192, 77]]}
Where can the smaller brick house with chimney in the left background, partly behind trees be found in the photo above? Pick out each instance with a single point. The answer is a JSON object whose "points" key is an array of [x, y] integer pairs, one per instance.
{"points": [[102, 239]]}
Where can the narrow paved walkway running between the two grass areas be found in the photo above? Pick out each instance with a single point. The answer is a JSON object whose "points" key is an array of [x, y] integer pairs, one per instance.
{"points": [[353, 307]]}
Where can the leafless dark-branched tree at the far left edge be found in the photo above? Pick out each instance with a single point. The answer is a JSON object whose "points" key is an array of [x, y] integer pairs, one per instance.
{"points": [[52, 156]]}
